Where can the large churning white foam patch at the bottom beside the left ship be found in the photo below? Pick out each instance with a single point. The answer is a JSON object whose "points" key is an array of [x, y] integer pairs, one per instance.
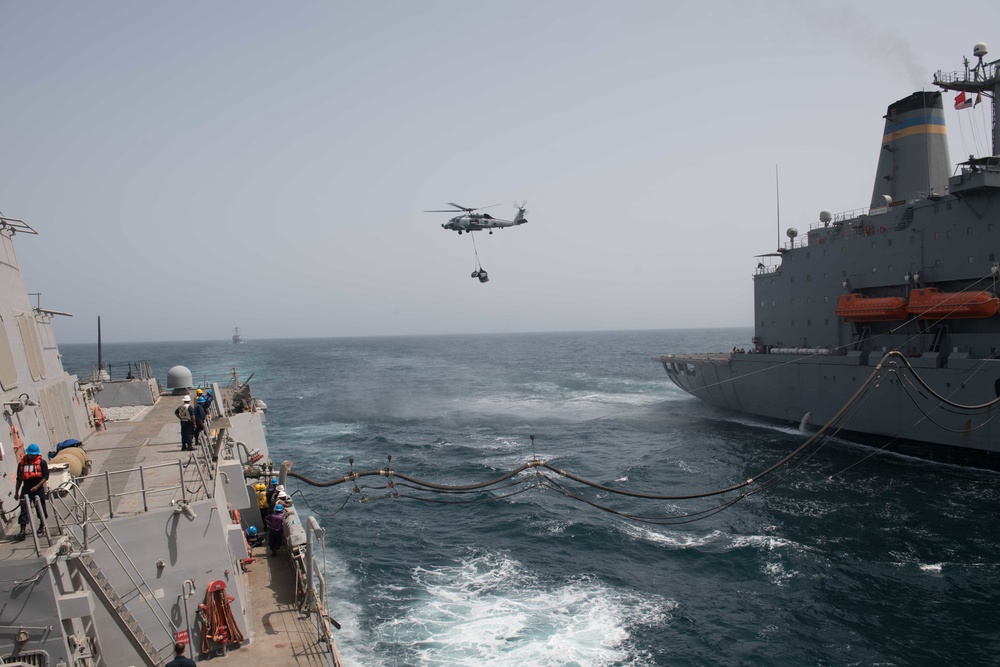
{"points": [[489, 610]]}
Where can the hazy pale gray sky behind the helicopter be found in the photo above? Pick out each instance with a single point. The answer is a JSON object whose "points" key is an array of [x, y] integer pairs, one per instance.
{"points": [[194, 167]]}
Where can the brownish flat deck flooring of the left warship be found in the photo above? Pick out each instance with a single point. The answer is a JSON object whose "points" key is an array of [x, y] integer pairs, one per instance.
{"points": [[136, 467]]}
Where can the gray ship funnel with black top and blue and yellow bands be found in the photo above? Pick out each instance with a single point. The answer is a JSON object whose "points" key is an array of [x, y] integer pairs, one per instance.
{"points": [[914, 159]]}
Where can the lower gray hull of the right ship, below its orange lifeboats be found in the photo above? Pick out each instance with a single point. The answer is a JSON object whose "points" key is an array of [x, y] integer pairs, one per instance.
{"points": [[894, 414]]}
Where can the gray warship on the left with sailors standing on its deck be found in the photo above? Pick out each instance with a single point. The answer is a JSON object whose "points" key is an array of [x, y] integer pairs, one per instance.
{"points": [[144, 545]]}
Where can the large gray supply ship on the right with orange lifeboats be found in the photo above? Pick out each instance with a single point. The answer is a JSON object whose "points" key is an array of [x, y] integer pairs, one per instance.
{"points": [[883, 322]]}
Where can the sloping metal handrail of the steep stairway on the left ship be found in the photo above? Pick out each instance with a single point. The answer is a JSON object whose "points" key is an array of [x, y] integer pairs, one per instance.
{"points": [[91, 525]]}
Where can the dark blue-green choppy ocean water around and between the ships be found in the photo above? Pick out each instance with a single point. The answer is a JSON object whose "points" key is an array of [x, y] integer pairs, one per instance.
{"points": [[853, 559]]}
